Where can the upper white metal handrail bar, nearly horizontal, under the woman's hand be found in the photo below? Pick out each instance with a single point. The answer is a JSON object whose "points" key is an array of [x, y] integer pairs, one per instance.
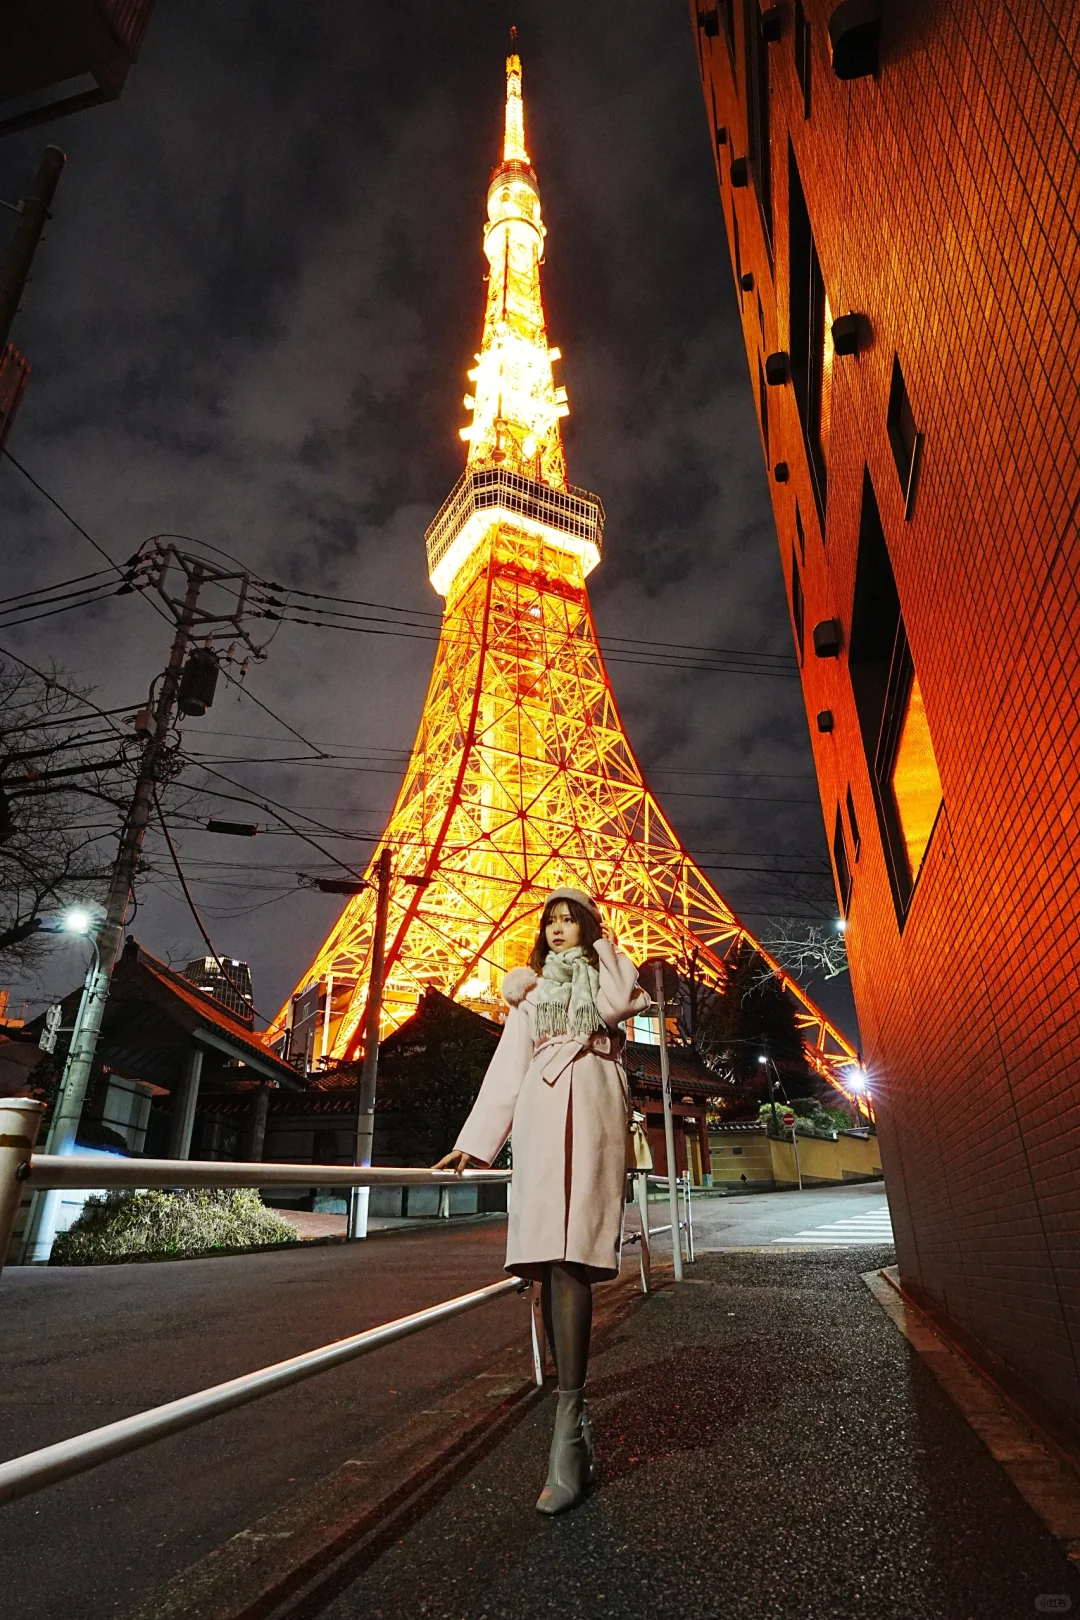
{"points": [[85, 1170]]}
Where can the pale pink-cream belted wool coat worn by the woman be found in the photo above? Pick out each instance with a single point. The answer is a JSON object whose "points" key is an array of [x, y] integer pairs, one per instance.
{"points": [[566, 1106]]}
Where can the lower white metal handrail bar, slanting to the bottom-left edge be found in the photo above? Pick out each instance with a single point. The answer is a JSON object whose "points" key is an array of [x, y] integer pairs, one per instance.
{"points": [[25, 1475]]}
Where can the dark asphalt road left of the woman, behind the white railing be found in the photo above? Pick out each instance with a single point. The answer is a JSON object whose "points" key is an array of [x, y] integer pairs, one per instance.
{"points": [[83, 1347]]}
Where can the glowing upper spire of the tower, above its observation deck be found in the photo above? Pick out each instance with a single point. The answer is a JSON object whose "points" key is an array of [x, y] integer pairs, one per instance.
{"points": [[516, 403]]}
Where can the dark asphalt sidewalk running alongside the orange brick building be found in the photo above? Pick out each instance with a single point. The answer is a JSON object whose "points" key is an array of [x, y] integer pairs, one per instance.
{"points": [[772, 1449]]}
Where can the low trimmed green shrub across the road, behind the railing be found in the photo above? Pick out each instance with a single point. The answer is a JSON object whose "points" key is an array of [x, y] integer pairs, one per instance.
{"points": [[155, 1226]]}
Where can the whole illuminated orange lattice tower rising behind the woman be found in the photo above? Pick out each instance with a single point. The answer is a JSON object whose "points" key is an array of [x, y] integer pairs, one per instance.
{"points": [[522, 777]]}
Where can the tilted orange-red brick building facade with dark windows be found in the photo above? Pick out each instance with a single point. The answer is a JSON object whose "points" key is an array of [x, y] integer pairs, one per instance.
{"points": [[901, 200]]}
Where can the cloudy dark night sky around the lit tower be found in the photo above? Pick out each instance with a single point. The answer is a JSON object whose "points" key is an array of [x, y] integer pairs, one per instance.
{"points": [[250, 323]]}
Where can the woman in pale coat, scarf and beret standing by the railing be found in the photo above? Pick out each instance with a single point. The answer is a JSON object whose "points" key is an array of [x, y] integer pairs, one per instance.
{"points": [[558, 1085]]}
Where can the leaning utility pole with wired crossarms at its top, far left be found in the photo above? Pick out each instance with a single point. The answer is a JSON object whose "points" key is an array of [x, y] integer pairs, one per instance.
{"points": [[109, 934]]}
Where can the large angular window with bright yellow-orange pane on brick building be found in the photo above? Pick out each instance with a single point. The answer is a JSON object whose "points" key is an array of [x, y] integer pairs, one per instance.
{"points": [[891, 712]]}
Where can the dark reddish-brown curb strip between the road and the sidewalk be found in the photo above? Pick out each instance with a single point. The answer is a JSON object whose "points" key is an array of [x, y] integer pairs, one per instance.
{"points": [[294, 1561]]}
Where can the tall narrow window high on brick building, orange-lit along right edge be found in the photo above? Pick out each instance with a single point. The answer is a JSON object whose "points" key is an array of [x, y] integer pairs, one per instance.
{"points": [[810, 338]]}
